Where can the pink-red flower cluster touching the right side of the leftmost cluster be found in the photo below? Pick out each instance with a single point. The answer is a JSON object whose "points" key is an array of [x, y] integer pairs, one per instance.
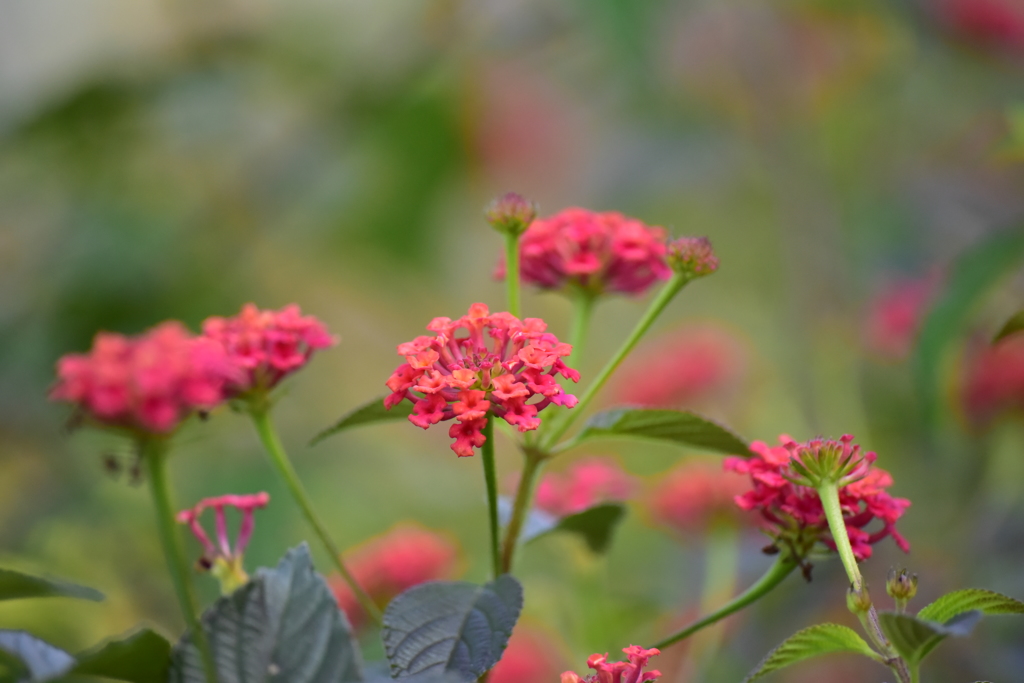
{"points": [[268, 346]]}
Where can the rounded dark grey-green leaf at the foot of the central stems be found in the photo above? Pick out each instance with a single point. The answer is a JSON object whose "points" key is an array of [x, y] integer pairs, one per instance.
{"points": [[451, 627]]}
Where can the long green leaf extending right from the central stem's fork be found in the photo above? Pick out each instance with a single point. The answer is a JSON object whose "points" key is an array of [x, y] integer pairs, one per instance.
{"points": [[680, 428]]}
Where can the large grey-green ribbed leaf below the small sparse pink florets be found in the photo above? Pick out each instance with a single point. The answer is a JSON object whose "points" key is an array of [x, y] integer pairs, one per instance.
{"points": [[282, 627]]}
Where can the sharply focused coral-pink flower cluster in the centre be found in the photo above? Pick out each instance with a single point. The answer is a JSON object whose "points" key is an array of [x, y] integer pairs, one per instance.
{"points": [[500, 365]]}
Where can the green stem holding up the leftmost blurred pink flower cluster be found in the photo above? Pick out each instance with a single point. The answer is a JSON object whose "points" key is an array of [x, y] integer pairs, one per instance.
{"points": [[155, 455]]}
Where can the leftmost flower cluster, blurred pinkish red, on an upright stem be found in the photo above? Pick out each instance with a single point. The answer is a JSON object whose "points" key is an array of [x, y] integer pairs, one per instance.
{"points": [[149, 383]]}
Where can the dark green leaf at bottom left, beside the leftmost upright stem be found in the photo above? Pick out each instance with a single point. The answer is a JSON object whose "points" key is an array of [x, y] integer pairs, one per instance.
{"points": [[143, 657]]}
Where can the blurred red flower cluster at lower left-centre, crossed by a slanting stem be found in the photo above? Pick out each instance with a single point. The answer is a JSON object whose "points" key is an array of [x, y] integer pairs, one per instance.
{"points": [[386, 567]]}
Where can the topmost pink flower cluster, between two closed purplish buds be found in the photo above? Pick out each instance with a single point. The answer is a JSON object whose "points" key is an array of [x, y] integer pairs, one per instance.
{"points": [[596, 252]]}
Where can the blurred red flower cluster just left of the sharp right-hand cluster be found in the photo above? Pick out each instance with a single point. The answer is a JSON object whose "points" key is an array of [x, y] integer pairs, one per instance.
{"points": [[695, 496]]}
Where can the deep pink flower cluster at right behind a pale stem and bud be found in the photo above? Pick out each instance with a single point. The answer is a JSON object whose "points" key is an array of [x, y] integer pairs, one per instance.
{"points": [[792, 515]]}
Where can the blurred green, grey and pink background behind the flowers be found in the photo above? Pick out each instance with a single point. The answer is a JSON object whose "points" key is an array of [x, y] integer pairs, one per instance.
{"points": [[858, 165]]}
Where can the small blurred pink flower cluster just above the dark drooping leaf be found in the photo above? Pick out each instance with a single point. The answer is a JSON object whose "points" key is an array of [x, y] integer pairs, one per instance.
{"points": [[588, 483]]}
